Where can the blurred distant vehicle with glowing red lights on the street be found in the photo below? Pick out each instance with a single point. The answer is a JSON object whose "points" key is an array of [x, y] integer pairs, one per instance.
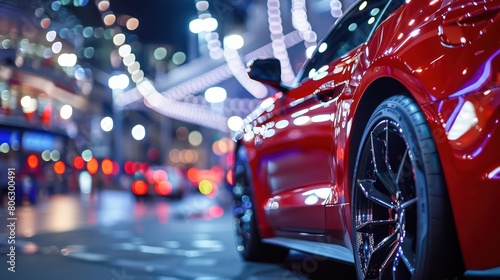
{"points": [[159, 181]]}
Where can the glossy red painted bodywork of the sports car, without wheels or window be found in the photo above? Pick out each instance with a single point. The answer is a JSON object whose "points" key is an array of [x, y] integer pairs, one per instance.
{"points": [[302, 142]]}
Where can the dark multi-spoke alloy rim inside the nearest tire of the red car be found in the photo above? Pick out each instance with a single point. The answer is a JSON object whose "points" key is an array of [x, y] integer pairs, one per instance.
{"points": [[385, 205]]}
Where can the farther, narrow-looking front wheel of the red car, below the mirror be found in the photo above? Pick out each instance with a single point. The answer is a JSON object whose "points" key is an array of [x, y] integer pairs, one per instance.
{"points": [[248, 240]]}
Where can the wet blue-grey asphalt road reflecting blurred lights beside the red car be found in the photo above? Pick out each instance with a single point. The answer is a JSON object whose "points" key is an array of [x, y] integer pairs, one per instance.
{"points": [[111, 236]]}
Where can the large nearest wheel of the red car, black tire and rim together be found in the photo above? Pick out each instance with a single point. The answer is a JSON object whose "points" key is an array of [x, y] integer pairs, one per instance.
{"points": [[402, 222]]}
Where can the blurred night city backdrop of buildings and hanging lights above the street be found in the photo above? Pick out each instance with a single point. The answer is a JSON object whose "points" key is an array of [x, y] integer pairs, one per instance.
{"points": [[105, 88]]}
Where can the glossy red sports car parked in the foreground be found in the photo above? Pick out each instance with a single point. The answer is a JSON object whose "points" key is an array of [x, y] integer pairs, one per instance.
{"points": [[386, 152]]}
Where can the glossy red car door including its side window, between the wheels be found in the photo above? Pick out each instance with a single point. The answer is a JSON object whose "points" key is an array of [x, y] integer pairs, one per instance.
{"points": [[298, 138]]}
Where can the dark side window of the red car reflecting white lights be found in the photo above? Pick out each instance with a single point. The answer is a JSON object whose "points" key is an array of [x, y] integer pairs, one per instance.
{"points": [[352, 30]]}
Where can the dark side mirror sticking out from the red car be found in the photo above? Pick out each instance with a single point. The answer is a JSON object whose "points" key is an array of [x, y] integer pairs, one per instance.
{"points": [[266, 71]]}
